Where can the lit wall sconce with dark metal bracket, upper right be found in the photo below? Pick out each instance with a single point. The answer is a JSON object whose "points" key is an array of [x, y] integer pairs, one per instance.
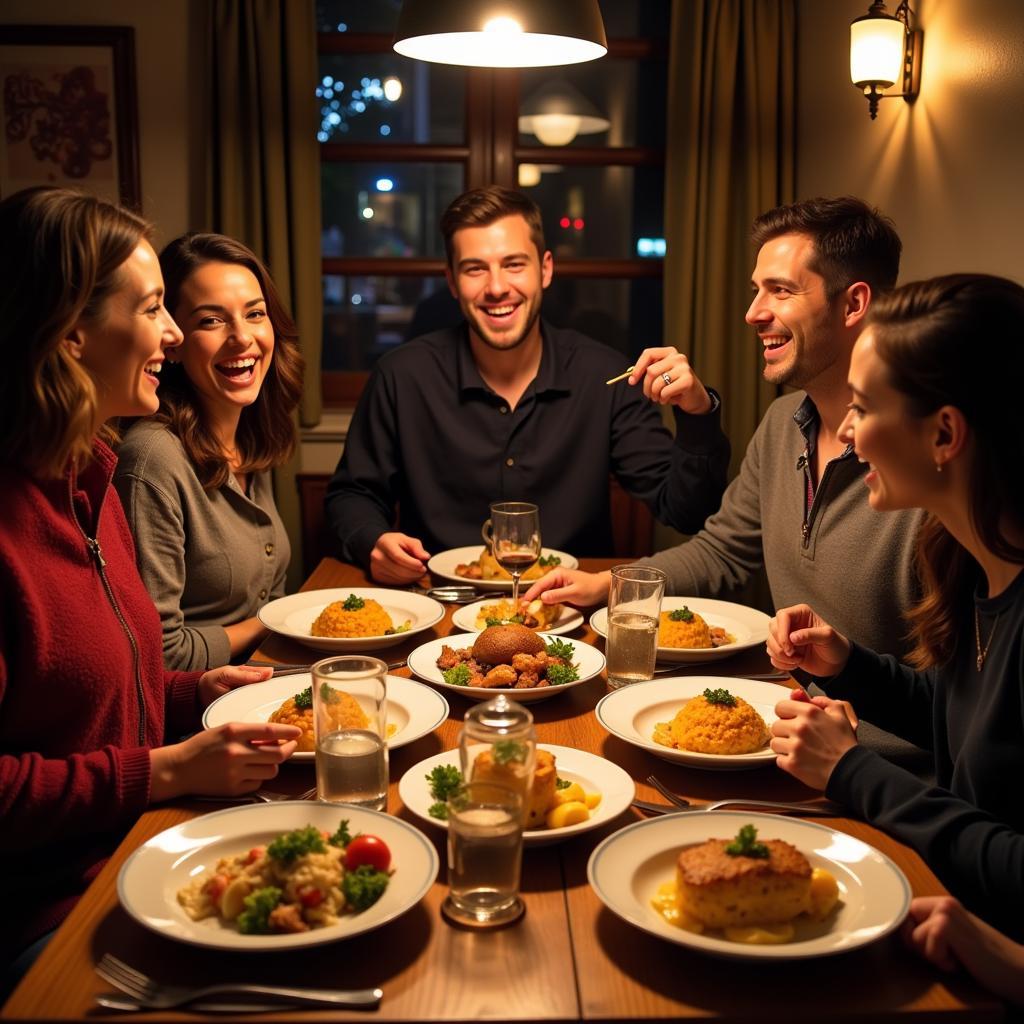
{"points": [[884, 51]]}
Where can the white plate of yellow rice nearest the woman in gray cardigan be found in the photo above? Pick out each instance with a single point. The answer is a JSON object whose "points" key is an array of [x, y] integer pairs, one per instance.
{"points": [[352, 619]]}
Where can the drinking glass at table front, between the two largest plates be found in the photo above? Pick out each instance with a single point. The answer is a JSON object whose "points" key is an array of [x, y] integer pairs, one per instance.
{"points": [[485, 856]]}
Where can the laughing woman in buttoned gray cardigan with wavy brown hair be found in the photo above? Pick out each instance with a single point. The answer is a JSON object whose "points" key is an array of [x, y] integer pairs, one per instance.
{"points": [[195, 480]]}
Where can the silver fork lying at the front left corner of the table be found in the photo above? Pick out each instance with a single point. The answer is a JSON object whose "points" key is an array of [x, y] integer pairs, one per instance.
{"points": [[152, 996]]}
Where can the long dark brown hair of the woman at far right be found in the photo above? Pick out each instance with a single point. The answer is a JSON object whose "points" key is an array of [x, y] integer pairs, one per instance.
{"points": [[959, 340]]}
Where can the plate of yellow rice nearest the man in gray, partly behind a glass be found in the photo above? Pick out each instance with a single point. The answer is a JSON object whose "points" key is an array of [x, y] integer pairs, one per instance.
{"points": [[701, 629]]}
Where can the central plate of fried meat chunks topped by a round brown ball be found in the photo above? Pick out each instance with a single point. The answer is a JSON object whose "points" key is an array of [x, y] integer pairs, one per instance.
{"points": [[513, 660]]}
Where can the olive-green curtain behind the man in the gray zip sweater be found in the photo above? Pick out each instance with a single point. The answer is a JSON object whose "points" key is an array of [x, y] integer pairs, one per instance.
{"points": [[731, 155]]}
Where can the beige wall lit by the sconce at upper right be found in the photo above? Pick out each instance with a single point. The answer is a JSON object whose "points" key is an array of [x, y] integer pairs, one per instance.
{"points": [[949, 168]]}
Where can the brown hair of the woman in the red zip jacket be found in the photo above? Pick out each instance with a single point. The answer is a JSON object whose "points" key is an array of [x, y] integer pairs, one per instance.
{"points": [[60, 265]]}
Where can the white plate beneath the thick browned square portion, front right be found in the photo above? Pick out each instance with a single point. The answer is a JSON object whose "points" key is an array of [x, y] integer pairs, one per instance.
{"points": [[627, 869]]}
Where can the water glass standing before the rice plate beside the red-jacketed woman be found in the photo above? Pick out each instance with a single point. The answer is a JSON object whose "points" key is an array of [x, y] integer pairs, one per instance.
{"points": [[351, 730]]}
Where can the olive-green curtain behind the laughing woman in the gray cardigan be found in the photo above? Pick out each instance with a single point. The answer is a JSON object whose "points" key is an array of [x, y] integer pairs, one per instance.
{"points": [[264, 175]]}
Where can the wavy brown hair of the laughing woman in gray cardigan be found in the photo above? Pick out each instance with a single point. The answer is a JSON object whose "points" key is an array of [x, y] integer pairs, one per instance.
{"points": [[267, 435]]}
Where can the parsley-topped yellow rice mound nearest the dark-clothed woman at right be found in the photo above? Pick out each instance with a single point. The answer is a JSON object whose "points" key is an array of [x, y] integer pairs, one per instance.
{"points": [[722, 723]]}
